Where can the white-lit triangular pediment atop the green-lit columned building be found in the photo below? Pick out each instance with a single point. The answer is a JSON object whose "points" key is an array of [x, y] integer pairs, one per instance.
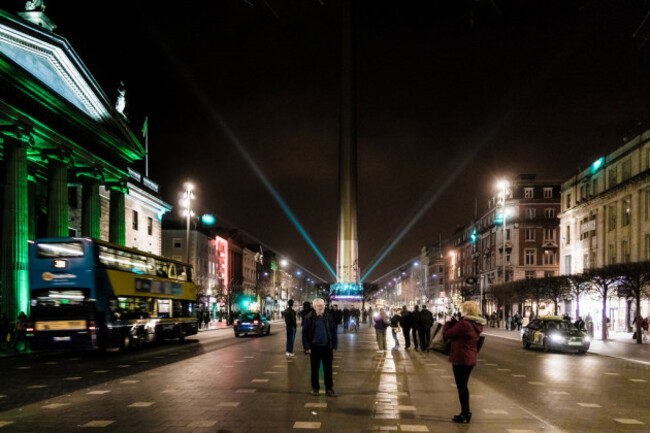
{"points": [[50, 59]]}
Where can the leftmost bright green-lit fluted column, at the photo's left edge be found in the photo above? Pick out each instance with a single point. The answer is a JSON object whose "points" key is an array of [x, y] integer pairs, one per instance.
{"points": [[13, 260]]}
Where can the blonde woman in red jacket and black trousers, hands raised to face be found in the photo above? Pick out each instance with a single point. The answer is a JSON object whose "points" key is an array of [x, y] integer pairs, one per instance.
{"points": [[463, 335]]}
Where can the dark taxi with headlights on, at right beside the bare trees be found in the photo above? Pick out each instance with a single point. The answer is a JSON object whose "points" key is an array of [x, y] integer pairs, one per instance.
{"points": [[554, 333]]}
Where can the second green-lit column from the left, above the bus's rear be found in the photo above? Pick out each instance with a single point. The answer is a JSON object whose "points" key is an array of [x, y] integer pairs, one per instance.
{"points": [[57, 197]]}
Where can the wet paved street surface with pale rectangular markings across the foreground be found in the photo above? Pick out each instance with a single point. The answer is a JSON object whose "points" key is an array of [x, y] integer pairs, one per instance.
{"points": [[217, 383]]}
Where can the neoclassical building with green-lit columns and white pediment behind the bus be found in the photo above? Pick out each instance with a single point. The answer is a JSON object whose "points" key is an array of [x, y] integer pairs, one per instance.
{"points": [[65, 154]]}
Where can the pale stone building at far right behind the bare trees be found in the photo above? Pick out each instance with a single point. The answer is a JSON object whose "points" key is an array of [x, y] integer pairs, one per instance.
{"points": [[605, 218]]}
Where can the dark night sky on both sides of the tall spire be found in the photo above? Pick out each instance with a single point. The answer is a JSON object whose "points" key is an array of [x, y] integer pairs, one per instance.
{"points": [[452, 95]]}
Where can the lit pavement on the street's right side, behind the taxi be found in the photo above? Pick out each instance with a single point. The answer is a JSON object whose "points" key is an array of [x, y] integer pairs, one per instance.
{"points": [[620, 345]]}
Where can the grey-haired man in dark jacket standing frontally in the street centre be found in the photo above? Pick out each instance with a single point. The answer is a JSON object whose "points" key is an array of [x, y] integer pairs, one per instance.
{"points": [[320, 340]]}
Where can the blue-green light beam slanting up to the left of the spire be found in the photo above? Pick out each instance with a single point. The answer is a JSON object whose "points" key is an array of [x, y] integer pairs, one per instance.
{"points": [[239, 146]]}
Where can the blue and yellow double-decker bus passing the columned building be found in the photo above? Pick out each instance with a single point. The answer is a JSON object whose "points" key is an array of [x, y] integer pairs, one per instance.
{"points": [[89, 294]]}
